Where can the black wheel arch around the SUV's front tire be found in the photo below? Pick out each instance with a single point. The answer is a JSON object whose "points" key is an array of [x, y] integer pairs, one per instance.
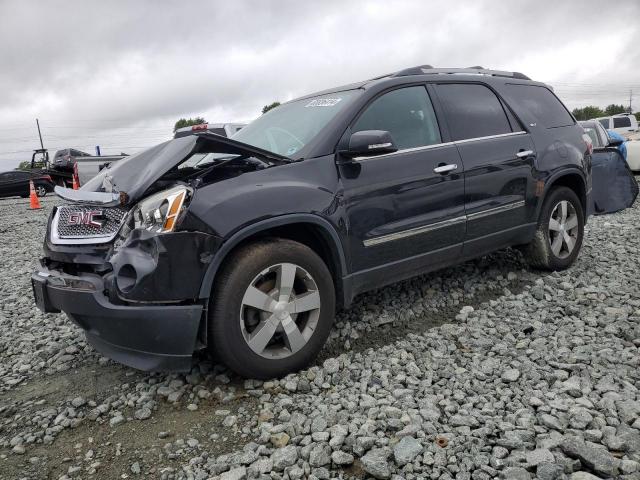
{"points": [[311, 230]]}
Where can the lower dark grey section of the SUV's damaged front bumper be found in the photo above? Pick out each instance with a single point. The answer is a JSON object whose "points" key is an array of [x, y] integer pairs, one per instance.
{"points": [[147, 337]]}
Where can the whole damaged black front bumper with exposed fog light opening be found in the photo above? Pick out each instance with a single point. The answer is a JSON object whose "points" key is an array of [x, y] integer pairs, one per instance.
{"points": [[140, 307]]}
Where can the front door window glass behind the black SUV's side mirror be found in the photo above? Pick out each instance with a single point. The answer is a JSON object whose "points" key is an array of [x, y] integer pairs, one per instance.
{"points": [[406, 113]]}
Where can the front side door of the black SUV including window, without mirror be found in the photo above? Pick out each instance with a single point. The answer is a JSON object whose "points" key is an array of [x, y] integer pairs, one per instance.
{"points": [[405, 210]]}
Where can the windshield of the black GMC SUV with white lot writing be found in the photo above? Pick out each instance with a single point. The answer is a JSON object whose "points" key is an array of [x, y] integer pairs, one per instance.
{"points": [[288, 128]]}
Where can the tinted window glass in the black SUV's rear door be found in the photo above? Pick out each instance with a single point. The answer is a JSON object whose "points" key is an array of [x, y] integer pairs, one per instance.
{"points": [[472, 111]]}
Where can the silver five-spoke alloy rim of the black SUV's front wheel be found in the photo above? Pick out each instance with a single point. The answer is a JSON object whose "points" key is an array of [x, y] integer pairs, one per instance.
{"points": [[280, 311]]}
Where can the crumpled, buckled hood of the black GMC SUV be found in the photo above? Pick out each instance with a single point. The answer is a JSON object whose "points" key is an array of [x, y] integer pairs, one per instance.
{"points": [[129, 178]]}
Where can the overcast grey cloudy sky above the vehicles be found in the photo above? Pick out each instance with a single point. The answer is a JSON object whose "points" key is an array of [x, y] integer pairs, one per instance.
{"points": [[120, 73]]}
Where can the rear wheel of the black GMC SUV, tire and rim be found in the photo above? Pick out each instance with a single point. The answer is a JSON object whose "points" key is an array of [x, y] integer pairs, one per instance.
{"points": [[559, 233]]}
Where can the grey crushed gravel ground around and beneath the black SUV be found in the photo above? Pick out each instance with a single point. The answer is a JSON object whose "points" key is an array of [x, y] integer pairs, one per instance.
{"points": [[485, 370]]}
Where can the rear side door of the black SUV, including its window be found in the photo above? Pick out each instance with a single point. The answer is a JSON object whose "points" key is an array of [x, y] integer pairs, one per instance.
{"points": [[499, 160]]}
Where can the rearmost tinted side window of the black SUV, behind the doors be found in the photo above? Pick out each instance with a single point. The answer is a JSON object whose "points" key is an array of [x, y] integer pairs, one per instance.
{"points": [[542, 103]]}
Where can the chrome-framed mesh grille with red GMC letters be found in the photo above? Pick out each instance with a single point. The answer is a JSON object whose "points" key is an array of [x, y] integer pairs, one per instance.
{"points": [[110, 219]]}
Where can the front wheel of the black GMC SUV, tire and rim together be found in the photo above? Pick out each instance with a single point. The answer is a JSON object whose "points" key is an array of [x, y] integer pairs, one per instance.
{"points": [[272, 309]]}
